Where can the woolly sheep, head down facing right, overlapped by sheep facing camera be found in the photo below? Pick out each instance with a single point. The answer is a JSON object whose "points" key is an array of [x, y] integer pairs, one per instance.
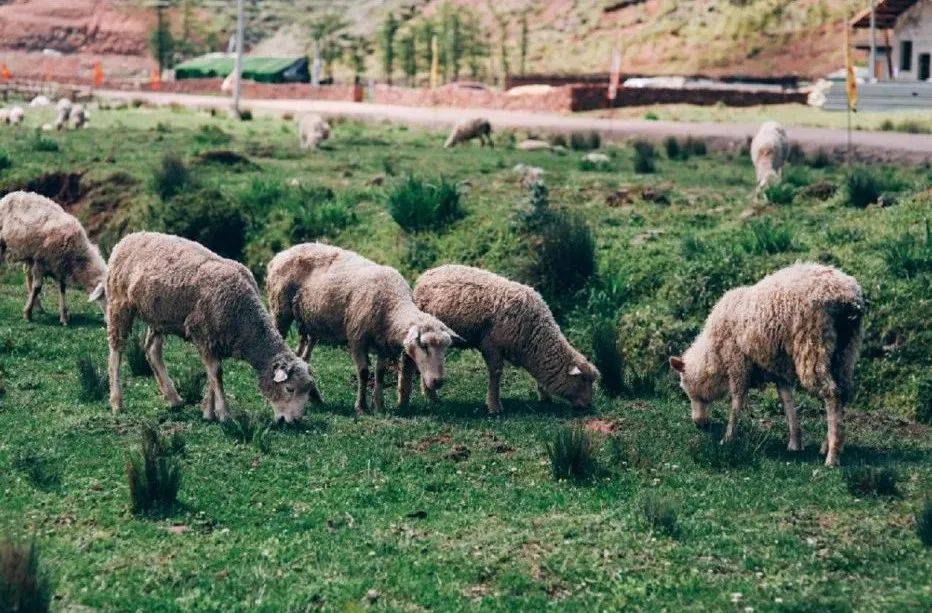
{"points": [[506, 320]]}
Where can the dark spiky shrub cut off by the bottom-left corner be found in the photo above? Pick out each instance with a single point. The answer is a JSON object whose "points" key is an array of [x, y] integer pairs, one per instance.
{"points": [[24, 584]]}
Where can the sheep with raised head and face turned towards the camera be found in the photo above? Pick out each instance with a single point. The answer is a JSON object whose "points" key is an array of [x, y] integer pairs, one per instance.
{"points": [[338, 296]]}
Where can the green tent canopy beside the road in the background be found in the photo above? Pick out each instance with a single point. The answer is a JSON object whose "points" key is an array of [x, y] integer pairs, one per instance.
{"points": [[259, 69]]}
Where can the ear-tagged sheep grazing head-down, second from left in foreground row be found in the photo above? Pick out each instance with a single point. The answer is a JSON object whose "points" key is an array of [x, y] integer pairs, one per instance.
{"points": [[179, 287]]}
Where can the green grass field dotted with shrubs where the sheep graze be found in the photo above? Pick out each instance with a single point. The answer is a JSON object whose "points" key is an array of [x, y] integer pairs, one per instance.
{"points": [[441, 506]]}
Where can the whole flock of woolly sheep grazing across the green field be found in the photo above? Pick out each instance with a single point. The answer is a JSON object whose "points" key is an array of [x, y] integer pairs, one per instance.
{"points": [[799, 325]]}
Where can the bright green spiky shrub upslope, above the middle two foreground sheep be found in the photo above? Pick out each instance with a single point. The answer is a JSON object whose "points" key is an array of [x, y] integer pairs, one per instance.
{"points": [[416, 204]]}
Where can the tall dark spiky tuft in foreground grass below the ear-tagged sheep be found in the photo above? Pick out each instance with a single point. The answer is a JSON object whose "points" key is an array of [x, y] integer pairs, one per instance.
{"points": [[154, 474]]}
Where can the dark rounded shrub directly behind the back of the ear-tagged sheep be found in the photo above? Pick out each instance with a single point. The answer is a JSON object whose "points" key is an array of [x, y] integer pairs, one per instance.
{"points": [[209, 217]]}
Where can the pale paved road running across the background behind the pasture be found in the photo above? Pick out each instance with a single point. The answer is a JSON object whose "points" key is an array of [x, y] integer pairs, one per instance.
{"points": [[868, 146]]}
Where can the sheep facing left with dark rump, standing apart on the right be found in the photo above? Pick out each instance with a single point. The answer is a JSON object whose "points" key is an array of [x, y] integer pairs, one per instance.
{"points": [[800, 324]]}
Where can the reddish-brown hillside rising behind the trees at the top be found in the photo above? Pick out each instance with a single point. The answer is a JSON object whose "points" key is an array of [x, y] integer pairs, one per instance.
{"points": [[760, 37]]}
